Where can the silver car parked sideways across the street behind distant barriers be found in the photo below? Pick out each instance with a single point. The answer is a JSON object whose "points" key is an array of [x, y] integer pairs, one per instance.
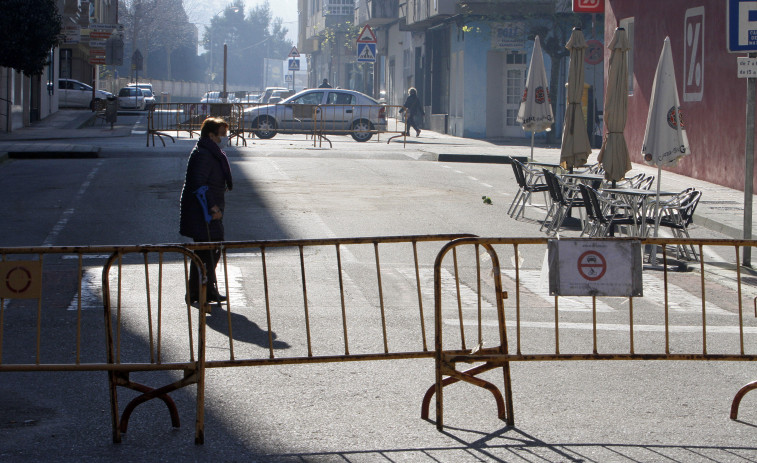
{"points": [[347, 111]]}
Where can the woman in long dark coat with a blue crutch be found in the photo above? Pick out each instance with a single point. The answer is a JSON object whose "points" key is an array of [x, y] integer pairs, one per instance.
{"points": [[208, 172]]}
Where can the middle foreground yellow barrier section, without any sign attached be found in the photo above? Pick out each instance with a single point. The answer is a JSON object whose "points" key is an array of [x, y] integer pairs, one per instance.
{"points": [[293, 260]]}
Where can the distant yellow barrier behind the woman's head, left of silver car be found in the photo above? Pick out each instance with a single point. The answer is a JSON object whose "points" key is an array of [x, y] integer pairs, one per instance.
{"points": [[188, 117]]}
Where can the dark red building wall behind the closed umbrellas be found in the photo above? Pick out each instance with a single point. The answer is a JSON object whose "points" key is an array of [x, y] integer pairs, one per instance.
{"points": [[715, 125]]}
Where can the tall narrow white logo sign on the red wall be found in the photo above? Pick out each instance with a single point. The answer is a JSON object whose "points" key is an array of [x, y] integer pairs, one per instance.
{"points": [[693, 56]]}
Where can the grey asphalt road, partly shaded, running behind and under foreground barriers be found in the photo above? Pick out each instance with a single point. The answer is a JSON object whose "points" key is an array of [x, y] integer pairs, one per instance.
{"points": [[362, 411]]}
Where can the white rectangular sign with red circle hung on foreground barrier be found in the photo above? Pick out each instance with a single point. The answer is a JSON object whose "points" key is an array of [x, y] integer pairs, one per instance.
{"points": [[595, 267]]}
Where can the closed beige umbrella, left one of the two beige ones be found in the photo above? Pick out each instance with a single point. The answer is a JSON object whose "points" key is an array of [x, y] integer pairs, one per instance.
{"points": [[575, 149]]}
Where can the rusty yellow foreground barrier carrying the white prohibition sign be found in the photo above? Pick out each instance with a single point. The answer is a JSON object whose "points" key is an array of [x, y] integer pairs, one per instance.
{"points": [[717, 330]]}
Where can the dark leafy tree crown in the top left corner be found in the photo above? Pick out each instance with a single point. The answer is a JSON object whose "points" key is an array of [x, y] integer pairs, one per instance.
{"points": [[29, 29]]}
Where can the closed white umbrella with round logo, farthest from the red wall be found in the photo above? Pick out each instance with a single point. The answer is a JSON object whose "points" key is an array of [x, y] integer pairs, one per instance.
{"points": [[535, 112]]}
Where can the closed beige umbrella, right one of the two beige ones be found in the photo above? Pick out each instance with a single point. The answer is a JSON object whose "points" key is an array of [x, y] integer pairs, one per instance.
{"points": [[614, 153]]}
